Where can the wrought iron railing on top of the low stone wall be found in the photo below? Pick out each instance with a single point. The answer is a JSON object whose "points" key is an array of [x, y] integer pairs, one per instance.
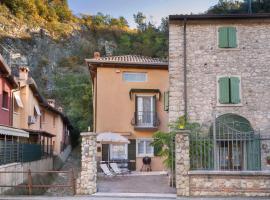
{"points": [[226, 149]]}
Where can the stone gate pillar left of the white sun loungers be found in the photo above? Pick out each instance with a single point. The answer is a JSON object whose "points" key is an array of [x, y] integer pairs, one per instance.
{"points": [[87, 180]]}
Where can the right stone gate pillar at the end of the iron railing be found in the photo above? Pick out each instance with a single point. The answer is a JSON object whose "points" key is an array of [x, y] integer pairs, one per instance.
{"points": [[182, 162]]}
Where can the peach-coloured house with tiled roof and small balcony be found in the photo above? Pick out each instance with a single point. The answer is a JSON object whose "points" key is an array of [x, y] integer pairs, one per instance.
{"points": [[129, 95]]}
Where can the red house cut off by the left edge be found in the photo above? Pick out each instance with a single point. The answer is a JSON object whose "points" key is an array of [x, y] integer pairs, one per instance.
{"points": [[7, 84]]}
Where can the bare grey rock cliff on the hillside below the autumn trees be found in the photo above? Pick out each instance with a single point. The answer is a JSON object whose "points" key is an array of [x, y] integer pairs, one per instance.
{"points": [[45, 55]]}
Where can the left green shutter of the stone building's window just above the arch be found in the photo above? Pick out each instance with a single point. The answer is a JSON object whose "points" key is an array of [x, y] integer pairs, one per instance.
{"points": [[224, 90]]}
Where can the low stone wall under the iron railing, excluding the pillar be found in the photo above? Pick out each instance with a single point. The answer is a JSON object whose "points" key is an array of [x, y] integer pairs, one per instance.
{"points": [[229, 184]]}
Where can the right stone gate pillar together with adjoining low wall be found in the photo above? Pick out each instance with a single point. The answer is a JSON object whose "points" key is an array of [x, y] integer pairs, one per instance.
{"points": [[215, 183]]}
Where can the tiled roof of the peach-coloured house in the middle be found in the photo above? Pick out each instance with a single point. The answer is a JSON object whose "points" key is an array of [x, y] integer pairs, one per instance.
{"points": [[134, 60]]}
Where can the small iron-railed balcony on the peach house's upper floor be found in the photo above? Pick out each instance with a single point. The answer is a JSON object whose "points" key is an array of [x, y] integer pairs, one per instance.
{"points": [[145, 121]]}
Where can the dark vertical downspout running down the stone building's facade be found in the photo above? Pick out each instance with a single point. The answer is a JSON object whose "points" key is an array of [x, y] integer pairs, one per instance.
{"points": [[185, 68]]}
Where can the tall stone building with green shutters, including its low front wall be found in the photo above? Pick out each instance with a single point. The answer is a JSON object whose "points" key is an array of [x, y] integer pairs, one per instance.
{"points": [[219, 76]]}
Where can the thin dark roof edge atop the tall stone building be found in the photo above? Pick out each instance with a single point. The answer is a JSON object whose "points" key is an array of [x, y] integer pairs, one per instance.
{"points": [[220, 16]]}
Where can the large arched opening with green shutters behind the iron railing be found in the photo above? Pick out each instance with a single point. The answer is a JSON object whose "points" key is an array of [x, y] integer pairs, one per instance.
{"points": [[237, 147]]}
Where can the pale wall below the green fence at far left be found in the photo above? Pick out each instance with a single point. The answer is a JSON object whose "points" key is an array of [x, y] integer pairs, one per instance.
{"points": [[18, 178]]}
